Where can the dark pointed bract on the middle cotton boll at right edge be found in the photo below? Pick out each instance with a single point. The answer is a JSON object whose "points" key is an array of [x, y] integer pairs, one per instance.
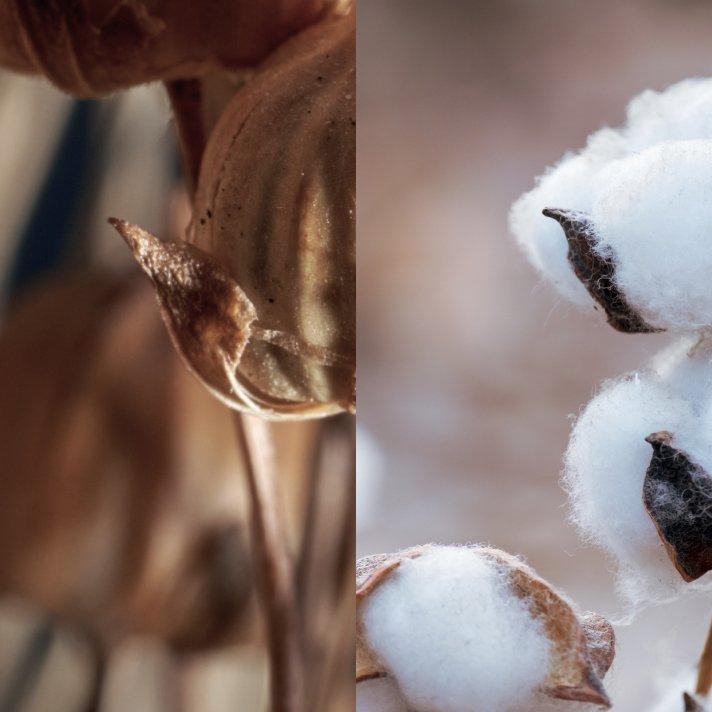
{"points": [[677, 493]]}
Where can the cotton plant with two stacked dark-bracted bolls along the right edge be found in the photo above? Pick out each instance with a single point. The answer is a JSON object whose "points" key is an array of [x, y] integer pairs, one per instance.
{"points": [[625, 225]]}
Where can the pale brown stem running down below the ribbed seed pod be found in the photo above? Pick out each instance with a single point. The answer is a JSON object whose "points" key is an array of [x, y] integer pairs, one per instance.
{"points": [[277, 581]]}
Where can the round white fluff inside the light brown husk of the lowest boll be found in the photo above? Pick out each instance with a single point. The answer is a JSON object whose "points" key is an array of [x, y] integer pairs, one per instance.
{"points": [[455, 636]]}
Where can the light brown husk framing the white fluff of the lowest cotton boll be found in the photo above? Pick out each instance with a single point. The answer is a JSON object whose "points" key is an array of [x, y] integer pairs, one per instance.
{"points": [[583, 647]]}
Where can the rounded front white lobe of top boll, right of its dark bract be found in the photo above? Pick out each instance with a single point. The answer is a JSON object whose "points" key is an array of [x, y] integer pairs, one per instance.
{"points": [[653, 211]]}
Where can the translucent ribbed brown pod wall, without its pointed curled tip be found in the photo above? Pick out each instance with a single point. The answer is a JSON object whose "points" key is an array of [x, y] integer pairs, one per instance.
{"points": [[275, 207]]}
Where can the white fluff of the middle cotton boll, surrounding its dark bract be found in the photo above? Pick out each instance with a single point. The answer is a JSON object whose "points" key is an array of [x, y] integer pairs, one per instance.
{"points": [[608, 457]]}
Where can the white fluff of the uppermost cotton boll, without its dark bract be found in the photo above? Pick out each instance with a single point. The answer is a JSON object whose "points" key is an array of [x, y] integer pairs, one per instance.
{"points": [[646, 186]]}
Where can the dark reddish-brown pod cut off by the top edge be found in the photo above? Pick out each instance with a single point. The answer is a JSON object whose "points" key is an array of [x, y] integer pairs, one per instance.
{"points": [[91, 47]]}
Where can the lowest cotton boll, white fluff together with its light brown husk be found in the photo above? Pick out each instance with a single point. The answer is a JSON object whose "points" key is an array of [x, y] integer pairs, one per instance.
{"points": [[464, 629]]}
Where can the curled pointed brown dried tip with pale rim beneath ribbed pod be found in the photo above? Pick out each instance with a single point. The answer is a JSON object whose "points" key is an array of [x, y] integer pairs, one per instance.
{"points": [[212, 323]]}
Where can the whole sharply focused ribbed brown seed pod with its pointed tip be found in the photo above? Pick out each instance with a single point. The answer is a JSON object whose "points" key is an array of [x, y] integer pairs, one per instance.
{"points": [[260, 299]]}
